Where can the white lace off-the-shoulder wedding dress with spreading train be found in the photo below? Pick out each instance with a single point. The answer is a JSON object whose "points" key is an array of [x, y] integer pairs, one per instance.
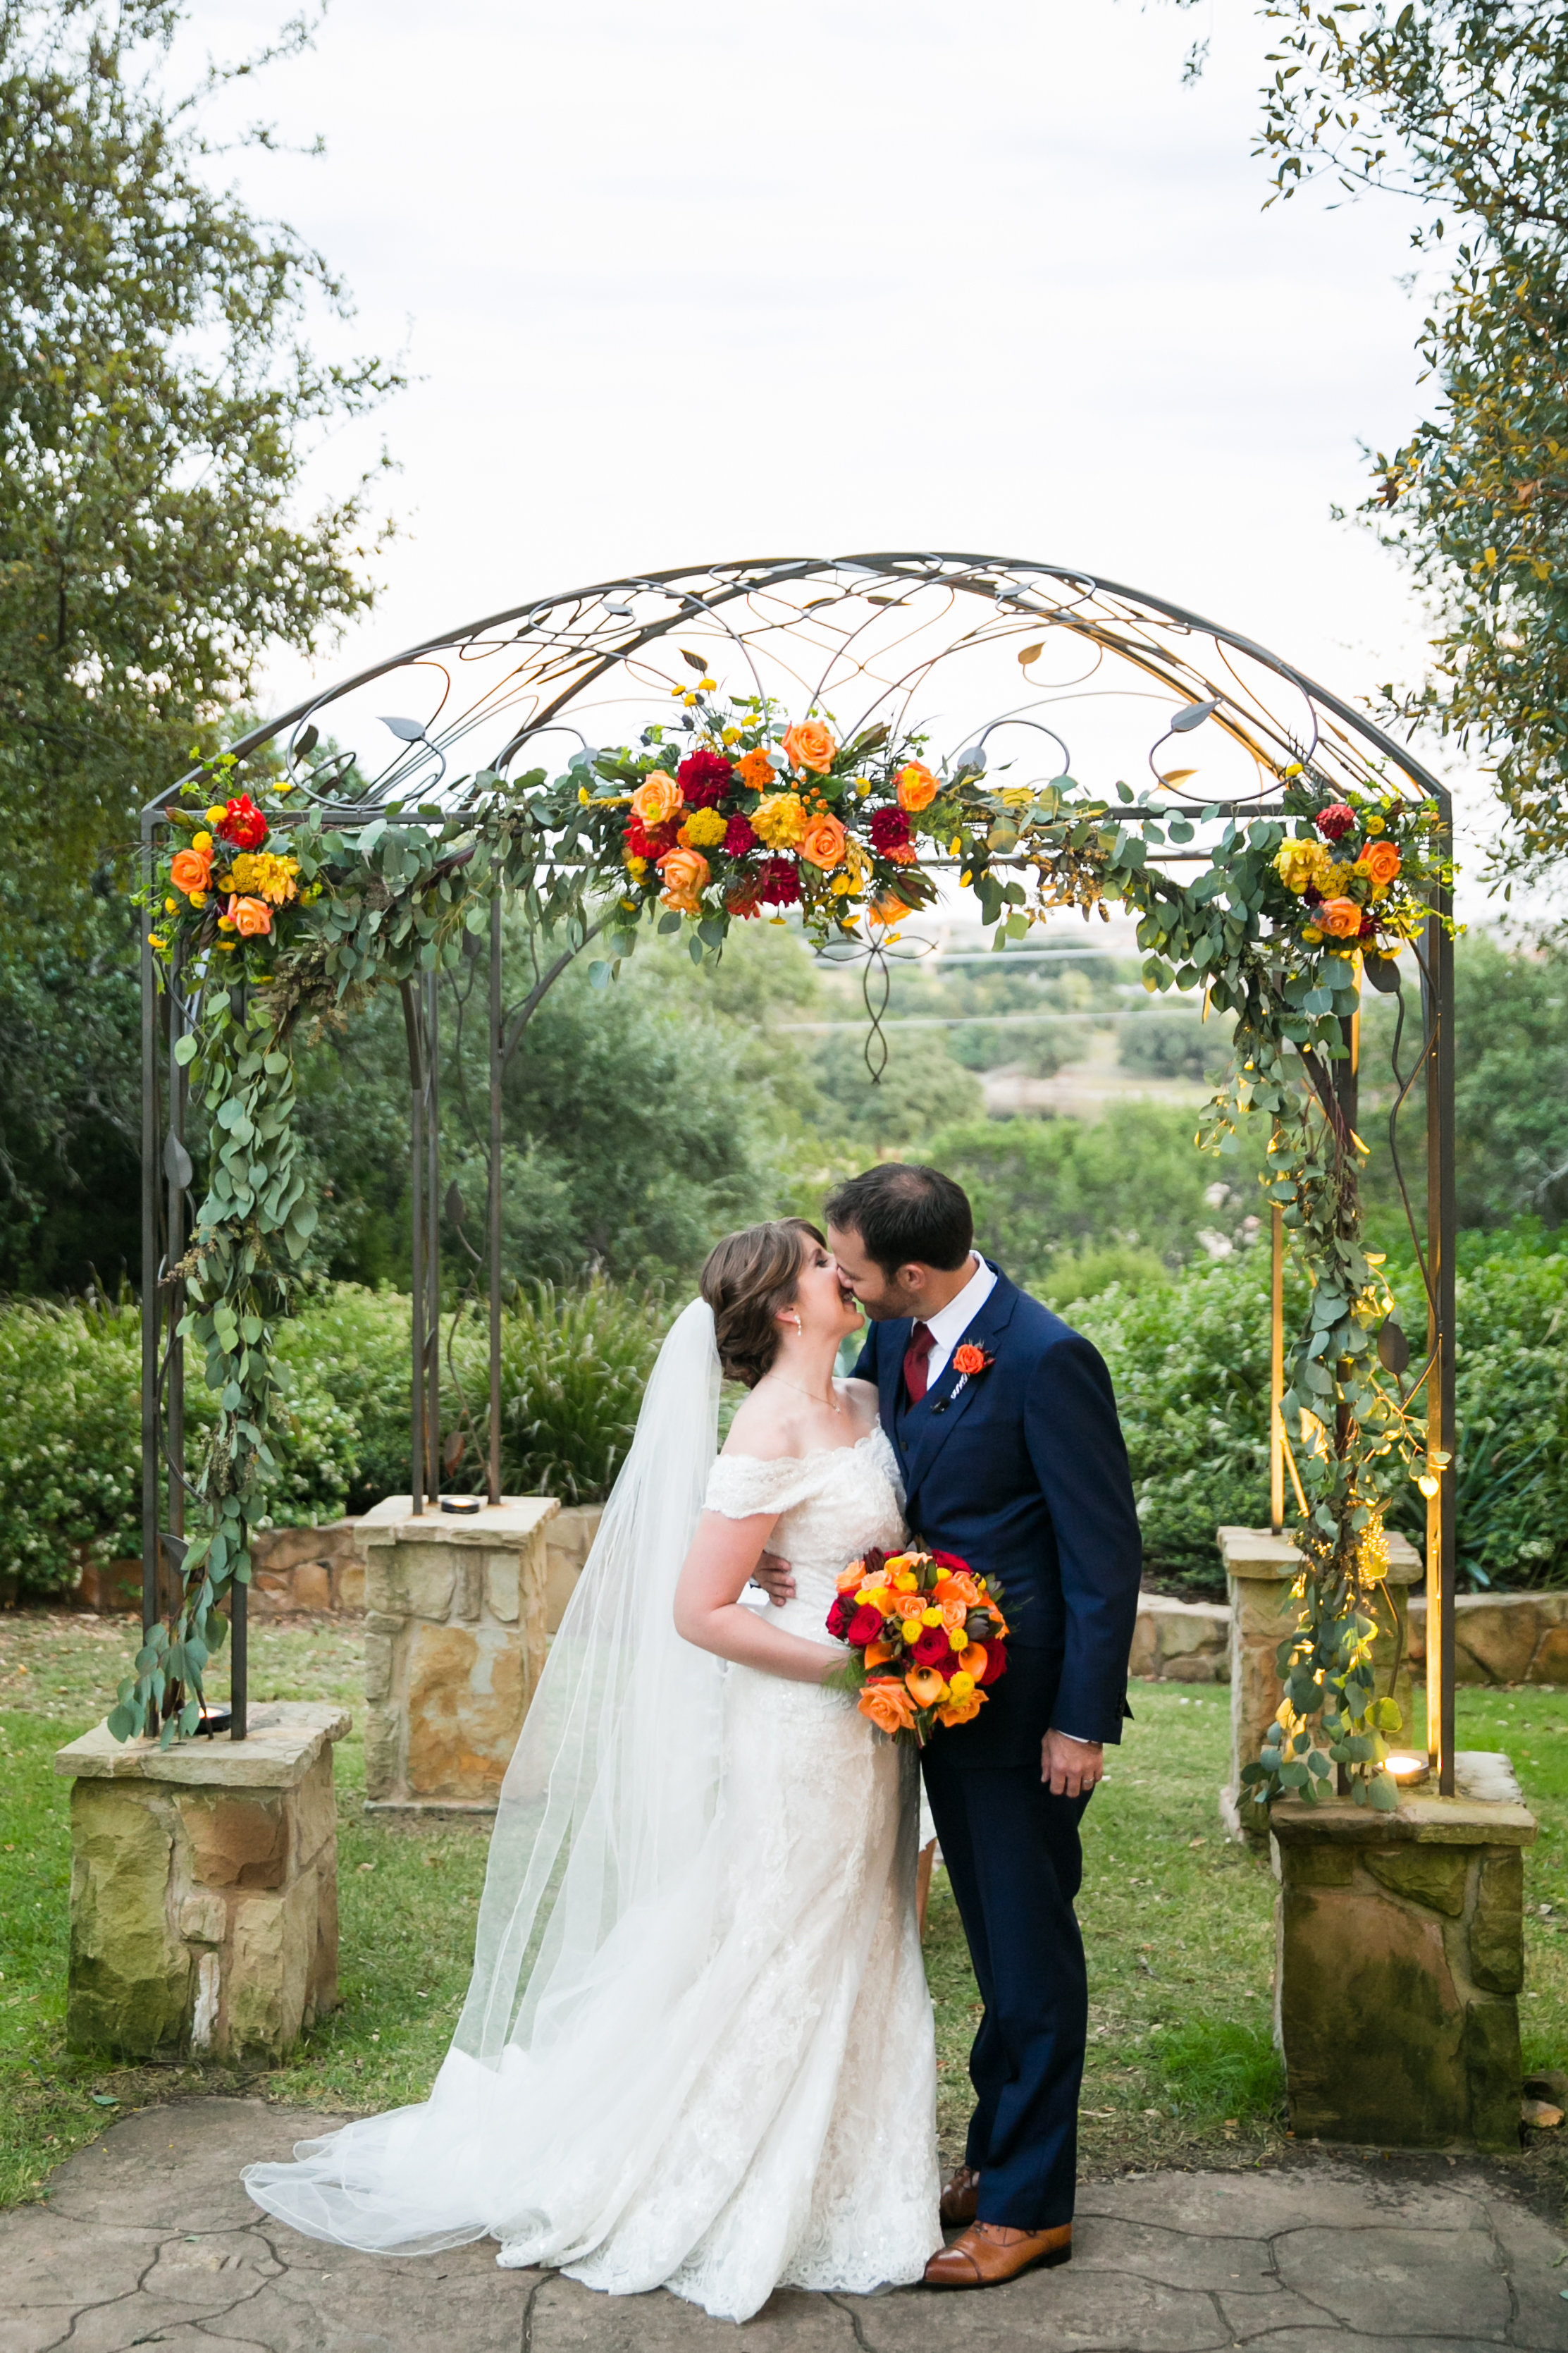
{"points": [[735, 2086]]}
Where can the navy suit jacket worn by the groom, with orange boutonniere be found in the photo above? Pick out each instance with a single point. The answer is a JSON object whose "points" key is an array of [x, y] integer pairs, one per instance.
{"points": [[1021, 1472]]}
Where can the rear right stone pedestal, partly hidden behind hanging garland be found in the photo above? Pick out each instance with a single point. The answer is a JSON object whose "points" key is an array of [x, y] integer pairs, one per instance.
{"points": [[1259, 1573]]}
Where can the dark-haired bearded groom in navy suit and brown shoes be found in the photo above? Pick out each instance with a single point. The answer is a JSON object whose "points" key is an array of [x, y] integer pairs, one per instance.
{"points": [[1021, 1472]]}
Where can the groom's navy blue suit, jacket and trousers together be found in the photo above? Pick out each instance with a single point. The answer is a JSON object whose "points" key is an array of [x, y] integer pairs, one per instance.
{"points": [[1021, 1472]]}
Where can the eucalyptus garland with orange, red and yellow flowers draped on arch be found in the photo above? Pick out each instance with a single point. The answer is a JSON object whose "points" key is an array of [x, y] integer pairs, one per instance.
{"points": [[272, 919]]}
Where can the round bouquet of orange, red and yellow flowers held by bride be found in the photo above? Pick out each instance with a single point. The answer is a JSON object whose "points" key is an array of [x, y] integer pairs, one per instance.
{"points": [[925, 1639]]}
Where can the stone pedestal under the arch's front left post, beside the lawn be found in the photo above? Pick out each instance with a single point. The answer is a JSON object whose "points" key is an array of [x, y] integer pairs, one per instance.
{"points": [[206, 1888]]}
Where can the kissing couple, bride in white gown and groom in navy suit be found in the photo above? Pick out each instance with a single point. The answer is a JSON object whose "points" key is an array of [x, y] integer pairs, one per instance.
{"points": [[697, 2048]]}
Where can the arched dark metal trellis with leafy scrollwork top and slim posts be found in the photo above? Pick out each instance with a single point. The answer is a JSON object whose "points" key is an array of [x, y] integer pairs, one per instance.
{"points": [[1003, 660]]}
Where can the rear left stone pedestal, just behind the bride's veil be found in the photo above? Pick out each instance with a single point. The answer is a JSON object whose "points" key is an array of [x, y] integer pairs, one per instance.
{"points": [[455, 1641]]}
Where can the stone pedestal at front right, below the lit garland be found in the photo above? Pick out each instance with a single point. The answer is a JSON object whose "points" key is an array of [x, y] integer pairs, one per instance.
{"points": [[1400, 1957]]}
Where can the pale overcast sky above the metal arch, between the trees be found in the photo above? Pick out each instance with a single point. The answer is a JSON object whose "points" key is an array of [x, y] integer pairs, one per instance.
{"points": [[808, 276]]}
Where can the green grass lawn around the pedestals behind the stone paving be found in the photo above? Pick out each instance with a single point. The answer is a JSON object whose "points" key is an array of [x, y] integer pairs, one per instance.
{"points": [[1179, 1924]]}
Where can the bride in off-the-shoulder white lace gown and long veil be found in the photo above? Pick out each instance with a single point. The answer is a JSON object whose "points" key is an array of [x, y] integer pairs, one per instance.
{"points": [[697, 2048]]}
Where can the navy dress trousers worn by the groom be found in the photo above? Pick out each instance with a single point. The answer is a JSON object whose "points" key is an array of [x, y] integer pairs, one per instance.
{"points": [[1014, 1860]]}
